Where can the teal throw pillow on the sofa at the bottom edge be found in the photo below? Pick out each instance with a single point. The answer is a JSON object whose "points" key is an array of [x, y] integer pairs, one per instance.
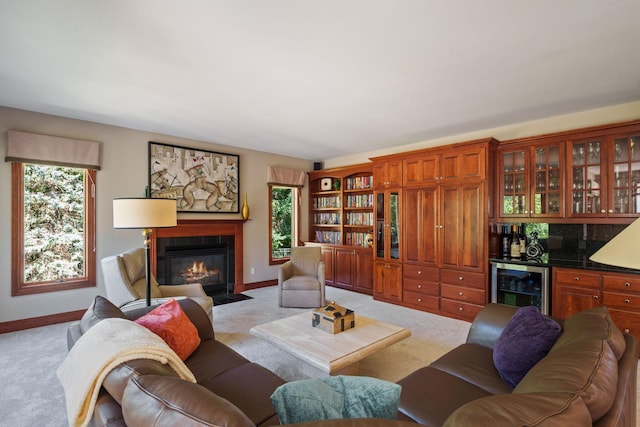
{"points": [[336, 397]]}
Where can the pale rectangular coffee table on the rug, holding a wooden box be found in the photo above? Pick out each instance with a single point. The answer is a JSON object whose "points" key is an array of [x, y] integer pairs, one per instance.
{"points": [[333, 354]]}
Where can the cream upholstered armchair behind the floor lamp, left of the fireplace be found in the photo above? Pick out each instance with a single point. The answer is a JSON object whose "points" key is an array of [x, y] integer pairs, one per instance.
{"points": [[125, 283]]}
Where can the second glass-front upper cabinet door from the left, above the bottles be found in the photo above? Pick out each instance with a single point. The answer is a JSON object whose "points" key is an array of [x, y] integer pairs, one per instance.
{"points": [[547, 181]]}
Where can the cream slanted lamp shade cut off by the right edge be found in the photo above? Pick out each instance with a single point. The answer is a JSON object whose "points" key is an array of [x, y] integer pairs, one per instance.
{"points": [[623, 250]]}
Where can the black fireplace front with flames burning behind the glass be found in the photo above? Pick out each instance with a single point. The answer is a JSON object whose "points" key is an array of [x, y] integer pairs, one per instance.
{"points": [[205, 265]]}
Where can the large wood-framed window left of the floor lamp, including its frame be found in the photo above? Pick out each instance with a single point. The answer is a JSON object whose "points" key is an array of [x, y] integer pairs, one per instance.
{"points": [[53, 228]]}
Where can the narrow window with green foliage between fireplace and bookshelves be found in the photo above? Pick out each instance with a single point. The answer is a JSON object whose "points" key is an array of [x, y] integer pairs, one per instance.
{"points": [[284, 217]]}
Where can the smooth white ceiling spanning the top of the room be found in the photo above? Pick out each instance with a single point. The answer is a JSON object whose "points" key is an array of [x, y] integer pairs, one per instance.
{"points": [[317, 79]]}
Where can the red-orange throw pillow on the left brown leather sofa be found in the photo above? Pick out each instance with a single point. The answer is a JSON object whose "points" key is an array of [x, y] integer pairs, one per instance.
{"points": [[172, 325]]}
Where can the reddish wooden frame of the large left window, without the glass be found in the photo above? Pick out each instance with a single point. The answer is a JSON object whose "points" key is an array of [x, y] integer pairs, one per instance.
{"points": [[18, 286]]}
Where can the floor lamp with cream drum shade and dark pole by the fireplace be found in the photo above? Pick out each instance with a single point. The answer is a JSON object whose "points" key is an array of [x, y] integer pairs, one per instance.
{"points": [[145, 214]]}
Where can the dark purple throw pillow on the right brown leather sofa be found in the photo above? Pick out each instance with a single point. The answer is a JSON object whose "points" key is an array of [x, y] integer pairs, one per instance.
{"points": [[526, 339]]}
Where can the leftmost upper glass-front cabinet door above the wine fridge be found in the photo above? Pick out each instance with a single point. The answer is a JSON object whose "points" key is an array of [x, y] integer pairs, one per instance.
{"points": [[514, 183]]}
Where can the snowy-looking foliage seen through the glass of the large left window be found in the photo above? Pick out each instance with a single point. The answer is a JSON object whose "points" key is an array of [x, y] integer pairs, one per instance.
{"points": [[53, 223]]}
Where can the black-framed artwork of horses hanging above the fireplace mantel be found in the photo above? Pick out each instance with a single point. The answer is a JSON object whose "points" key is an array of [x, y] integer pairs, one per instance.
{"points": [[199, 180]]}
